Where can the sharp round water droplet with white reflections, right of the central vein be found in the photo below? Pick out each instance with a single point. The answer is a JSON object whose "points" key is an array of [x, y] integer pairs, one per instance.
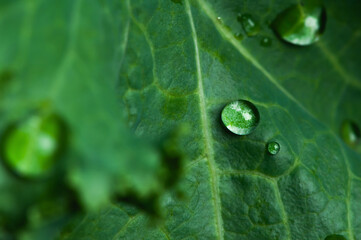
{"points": [[240, 117]]}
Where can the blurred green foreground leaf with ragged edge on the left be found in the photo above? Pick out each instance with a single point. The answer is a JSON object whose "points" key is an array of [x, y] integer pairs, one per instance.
{"points": [[63, 56]]}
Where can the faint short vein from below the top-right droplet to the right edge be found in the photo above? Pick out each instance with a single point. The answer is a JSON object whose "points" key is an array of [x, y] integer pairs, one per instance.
{"points": [[336, 64]]}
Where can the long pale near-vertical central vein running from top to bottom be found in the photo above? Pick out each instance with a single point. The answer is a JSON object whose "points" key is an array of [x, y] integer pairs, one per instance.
{"points": [[206, 132]]}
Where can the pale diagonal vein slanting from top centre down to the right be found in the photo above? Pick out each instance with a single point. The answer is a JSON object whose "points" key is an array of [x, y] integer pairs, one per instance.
{"points": [[247, 55]]}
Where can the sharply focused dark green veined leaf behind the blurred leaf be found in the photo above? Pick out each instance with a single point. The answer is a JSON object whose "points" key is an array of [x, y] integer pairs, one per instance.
{"points": [[183, 55]]}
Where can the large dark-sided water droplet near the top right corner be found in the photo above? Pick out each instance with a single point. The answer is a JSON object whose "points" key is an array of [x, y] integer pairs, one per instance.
{"points": [[300, 24]]}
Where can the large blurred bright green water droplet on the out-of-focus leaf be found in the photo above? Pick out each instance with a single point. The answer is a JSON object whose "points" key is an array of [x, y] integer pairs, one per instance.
{"points": [[29, 147]]}
